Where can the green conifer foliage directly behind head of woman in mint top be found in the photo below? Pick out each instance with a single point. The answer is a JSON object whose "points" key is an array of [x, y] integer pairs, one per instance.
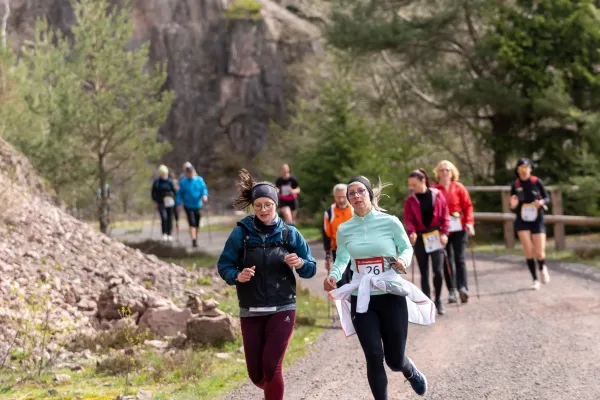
{"points": [[345, 143]]}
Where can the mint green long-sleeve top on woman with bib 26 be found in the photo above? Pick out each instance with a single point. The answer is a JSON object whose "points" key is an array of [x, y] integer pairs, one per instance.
{"points": [[377, 234]]}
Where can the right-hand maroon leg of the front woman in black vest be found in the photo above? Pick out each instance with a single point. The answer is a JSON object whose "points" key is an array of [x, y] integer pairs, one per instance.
{"points": [[278, 332]]}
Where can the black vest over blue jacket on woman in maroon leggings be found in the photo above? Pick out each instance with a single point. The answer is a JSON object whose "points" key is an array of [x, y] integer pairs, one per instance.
{"points": [[273, 283]]}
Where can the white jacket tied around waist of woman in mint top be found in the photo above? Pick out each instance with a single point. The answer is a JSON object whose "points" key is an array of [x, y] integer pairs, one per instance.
{"points": [[421, 309]]}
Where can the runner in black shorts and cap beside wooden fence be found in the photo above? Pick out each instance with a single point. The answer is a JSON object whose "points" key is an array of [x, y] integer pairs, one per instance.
{"points": [[528, 199]]}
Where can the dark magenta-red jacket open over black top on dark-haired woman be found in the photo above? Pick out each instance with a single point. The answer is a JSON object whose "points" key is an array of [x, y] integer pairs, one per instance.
{"points": [[412, 214]]}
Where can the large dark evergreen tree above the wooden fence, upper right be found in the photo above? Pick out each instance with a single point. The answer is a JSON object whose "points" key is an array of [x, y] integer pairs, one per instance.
{"points": [[488, 67]]}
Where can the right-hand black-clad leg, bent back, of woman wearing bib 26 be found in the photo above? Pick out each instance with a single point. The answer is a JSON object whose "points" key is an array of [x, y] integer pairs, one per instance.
{"points": [[393, 313]]}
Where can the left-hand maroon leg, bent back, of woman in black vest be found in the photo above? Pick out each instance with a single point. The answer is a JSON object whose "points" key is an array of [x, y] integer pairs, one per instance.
{"points": [[254, 342]]}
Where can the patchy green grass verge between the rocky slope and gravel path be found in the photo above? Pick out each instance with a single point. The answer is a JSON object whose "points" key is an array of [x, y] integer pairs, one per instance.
{"points": [[192, 373]]}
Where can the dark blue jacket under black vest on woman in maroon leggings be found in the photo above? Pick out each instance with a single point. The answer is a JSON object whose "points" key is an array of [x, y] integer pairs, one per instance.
{"points": [[230, 257]]}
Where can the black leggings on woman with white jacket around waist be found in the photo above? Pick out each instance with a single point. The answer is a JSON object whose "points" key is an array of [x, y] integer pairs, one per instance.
{"points": [[382, 332]]}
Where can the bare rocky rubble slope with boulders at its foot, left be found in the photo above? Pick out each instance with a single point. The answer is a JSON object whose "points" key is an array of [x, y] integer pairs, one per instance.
{"points": [[57, 269]]}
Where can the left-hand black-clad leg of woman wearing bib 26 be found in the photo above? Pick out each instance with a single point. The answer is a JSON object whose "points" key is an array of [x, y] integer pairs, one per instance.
{"points": [[368, 330]]}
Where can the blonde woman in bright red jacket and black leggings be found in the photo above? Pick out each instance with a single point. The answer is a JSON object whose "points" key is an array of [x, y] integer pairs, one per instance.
{"points": [[462, 223]]}
